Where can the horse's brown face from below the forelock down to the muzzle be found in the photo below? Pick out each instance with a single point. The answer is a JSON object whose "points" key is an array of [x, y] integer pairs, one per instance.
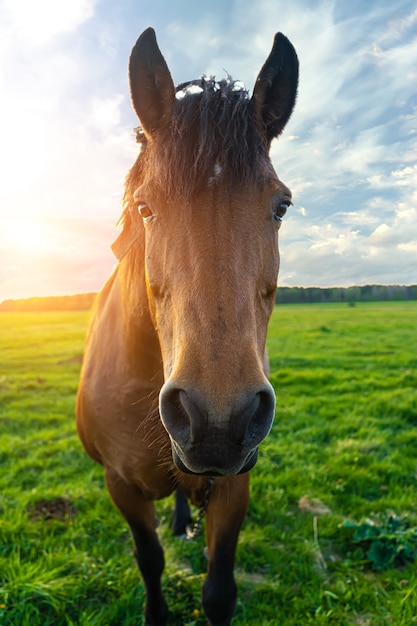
{"points": [[211, 274]]}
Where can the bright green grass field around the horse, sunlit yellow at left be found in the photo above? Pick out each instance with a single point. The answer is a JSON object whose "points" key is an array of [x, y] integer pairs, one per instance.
{"points": [[331, 533]]}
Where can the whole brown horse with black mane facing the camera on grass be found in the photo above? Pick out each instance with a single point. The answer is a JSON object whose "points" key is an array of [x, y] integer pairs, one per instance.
{"points": [[174, 393]]}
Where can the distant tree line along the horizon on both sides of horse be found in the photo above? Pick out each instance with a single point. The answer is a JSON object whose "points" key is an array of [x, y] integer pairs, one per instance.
{"points": [[285, 295]]}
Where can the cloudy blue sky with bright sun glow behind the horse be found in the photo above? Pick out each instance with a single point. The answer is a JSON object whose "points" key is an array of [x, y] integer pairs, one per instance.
{"points": [[348, 153]]}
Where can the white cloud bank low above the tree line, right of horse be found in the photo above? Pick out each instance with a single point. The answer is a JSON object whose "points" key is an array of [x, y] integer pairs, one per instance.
{"points": [[326, 255]]}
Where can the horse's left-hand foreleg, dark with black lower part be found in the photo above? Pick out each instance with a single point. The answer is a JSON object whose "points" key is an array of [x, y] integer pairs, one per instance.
{"points": [[140, 515]]}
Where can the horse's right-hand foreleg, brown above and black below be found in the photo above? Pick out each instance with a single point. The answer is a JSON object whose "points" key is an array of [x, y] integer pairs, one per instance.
{"points": [[225, 514]]}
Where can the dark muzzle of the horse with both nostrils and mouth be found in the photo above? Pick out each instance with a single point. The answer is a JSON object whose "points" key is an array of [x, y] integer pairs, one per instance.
{"points": [[209, 439]]}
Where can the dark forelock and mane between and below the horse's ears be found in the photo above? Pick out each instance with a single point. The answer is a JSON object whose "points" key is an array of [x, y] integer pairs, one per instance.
{"points": [[212, 125]]}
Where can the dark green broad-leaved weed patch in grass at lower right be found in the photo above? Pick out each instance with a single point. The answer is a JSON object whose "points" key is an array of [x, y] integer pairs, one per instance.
{"points": [[385, 542]]}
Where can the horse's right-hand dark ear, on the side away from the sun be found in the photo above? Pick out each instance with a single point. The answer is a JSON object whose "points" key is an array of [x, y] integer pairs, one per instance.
{"points": [[275, 89]]}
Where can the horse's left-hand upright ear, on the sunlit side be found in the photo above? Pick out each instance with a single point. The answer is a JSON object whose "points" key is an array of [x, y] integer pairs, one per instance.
{"points": [[151, 87]]}
